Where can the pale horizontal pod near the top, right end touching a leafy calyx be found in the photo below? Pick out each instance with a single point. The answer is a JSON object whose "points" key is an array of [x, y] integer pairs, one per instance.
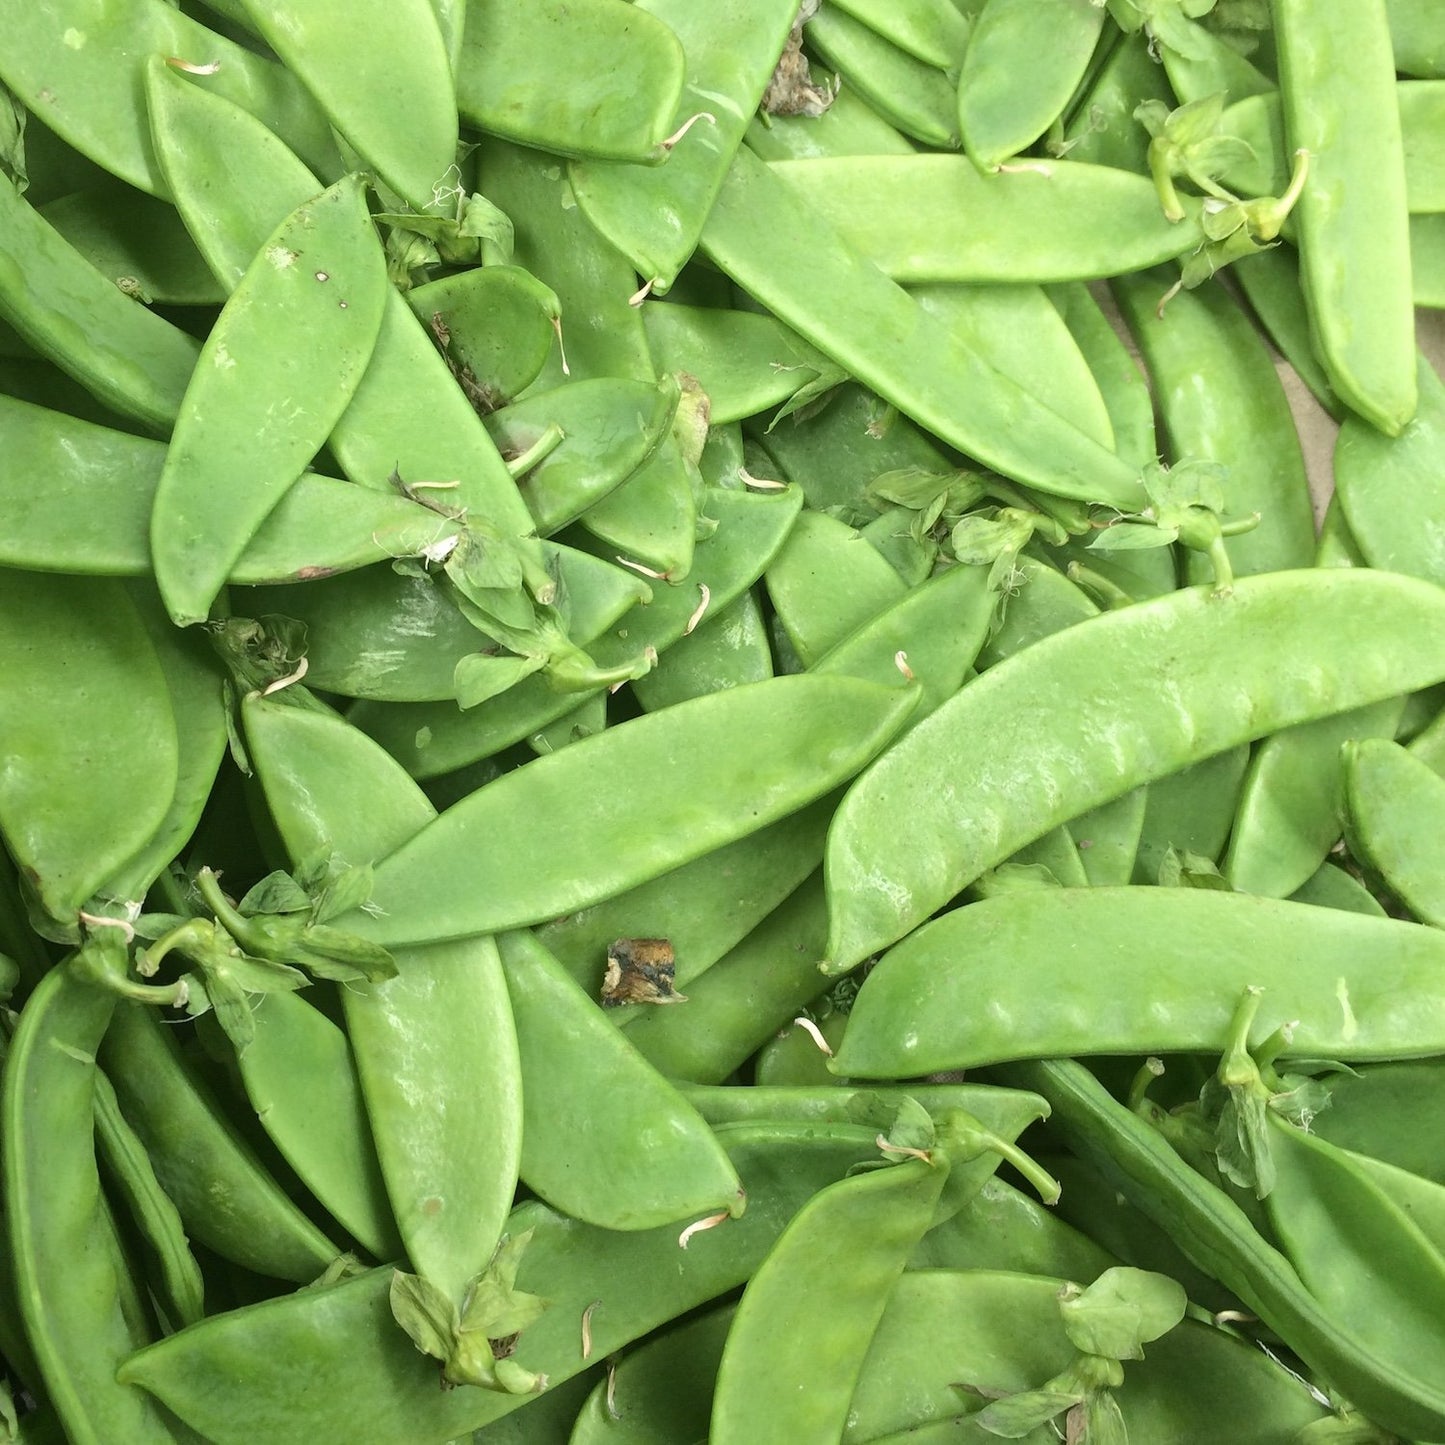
{"points": [[1048, 222]]}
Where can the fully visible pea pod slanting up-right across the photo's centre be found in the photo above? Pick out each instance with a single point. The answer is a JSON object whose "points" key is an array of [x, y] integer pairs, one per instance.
{"points": [[450, 882]]}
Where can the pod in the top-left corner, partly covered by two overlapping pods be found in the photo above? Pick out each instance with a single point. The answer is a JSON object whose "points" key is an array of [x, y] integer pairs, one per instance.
{"points": [[82, 72]]}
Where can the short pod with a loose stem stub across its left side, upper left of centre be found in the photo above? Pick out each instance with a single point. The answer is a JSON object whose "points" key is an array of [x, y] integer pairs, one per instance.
{"points": [[609, 428]]}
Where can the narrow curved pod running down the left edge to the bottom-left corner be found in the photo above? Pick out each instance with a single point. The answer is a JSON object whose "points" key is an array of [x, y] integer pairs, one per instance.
{"points": [[64, 1267]]}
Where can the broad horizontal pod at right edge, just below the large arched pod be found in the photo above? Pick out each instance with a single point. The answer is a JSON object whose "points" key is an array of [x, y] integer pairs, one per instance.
{"points": [[1116, 972]]}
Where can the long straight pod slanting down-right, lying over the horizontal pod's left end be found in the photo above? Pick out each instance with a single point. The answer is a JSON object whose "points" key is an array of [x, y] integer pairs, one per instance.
{"points": [[774, 245]]}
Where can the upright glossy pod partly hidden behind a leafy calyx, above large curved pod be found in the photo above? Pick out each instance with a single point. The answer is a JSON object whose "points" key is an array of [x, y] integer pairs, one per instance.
{"points": [[1220, 400]]}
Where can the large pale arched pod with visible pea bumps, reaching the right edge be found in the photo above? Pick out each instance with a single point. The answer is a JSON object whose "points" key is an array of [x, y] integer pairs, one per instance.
{"points": [[1277, 651]]}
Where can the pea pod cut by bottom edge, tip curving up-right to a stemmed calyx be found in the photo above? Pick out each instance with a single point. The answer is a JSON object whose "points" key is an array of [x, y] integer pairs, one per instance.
{"points": [[798, 1385]]}
